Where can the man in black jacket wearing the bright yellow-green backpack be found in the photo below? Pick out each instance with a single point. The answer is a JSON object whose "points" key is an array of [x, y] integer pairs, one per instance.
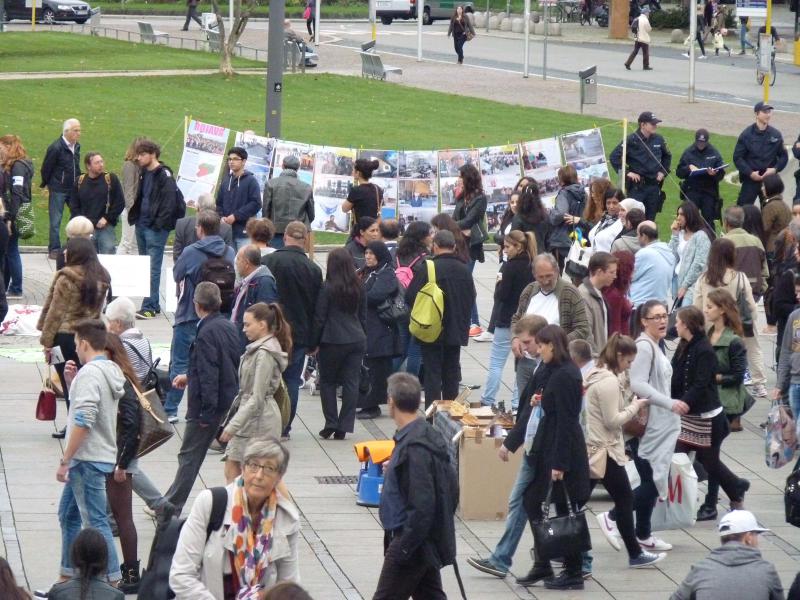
{"points": [[442, 359]]}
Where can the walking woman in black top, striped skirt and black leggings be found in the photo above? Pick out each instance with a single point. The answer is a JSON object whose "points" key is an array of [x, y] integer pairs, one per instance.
{"points": [[694, 380]]}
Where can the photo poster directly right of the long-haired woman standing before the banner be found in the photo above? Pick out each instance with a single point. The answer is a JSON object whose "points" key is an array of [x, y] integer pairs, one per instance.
{"points": [[500, 171]]}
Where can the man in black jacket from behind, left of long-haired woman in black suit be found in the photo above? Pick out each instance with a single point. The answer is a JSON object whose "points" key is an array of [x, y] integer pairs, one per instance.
{"points": [[299, 280]]}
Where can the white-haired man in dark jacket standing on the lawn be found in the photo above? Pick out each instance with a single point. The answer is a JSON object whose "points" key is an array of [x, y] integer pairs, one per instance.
{"points": [[61, 168]]}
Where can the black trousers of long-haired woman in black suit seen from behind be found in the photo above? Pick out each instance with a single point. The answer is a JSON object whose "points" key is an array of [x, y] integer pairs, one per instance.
{"points": [[340, 364]]}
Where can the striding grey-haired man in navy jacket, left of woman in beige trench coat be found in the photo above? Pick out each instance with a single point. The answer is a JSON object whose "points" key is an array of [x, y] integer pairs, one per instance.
{"points": [[213, 381]]}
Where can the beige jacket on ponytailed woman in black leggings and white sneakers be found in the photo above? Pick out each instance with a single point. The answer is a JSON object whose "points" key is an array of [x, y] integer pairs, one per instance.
{"points": [[608, 409]]}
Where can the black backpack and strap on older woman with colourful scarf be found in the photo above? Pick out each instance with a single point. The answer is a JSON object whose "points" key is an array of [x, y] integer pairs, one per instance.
{"points": [[155, 580]]}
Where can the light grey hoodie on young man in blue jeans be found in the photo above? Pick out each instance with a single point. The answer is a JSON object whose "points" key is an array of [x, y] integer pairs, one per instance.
{"points": [[94, 394]]}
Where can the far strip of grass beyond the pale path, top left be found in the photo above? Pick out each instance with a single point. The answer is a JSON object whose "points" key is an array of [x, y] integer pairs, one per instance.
{"points": [[53, 51]]}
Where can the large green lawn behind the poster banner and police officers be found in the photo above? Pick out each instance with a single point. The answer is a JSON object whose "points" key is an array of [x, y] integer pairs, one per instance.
{"points": [[319, 109]]}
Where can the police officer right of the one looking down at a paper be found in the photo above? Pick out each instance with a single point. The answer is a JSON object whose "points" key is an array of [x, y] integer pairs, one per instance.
{"points": [[759, 152]]}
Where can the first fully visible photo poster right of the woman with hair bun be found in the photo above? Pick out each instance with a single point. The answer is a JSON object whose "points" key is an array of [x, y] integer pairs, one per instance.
{"points": [[417, 194]]}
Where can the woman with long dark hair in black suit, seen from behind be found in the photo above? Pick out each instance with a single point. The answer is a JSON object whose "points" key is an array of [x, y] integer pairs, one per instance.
{"points": [[340, 323]]}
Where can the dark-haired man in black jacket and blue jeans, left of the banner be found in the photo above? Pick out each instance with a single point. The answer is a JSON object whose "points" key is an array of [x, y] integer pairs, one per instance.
{"points": [[157, 207]]}
